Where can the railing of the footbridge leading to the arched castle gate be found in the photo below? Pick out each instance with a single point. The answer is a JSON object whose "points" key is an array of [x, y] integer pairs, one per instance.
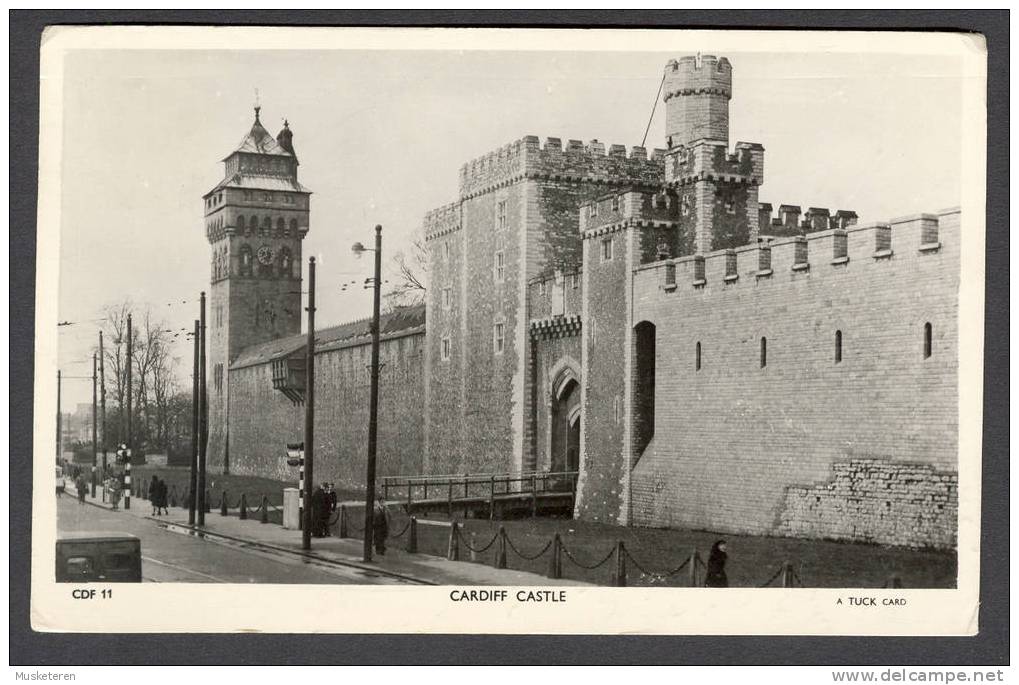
{"points": [[467, 487]]}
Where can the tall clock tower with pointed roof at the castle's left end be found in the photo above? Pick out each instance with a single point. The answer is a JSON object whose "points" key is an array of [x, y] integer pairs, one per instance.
{"points": [[255, 221]]}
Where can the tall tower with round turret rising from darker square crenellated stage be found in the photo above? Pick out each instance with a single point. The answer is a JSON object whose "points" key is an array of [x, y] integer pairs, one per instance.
{"points": [[717, 190]]}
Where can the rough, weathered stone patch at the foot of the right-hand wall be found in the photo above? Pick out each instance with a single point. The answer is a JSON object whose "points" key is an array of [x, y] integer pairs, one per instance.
{"points": [[877, 501]]}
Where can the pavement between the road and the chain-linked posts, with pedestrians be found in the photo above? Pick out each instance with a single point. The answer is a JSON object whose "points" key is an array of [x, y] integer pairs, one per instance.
{"points": [[397, 564]]}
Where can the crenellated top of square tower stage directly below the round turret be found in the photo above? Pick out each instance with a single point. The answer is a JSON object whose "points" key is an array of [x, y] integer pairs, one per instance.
{"points": [[711, 161]]}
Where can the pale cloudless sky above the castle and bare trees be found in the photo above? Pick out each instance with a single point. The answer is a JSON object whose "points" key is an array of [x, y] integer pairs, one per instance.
{"points": [[382, 137]]}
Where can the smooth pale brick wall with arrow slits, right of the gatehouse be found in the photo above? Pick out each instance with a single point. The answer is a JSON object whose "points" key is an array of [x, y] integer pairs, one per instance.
{"points": [[732, 439]]}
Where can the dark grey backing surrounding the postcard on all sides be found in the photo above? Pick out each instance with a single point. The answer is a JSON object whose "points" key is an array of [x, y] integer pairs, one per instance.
{"points": [[990, 648]]}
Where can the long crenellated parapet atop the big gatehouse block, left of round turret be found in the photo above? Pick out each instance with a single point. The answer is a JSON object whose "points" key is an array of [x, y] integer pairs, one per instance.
{"points": [[527, 159]]}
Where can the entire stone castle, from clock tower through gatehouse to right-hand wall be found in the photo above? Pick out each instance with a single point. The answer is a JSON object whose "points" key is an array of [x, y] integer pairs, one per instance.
{"points": [[638, 318]]}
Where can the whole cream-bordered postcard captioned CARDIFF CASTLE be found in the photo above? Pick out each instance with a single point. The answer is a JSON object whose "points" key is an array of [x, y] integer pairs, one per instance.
{"points": [[606, 332]]}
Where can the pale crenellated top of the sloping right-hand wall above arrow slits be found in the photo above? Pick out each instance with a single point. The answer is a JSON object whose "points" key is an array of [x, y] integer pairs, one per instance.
{"points": [[798, 256]]}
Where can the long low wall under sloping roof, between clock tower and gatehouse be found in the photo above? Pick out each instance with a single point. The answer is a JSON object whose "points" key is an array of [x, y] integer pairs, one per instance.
{"points": [[263, 420]]}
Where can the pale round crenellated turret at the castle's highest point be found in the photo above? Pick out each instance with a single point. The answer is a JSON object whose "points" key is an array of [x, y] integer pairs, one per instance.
{"points": [[698, 92]]}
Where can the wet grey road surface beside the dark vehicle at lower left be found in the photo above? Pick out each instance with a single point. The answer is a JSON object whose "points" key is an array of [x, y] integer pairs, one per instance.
{"points": [[174, 556]]}
